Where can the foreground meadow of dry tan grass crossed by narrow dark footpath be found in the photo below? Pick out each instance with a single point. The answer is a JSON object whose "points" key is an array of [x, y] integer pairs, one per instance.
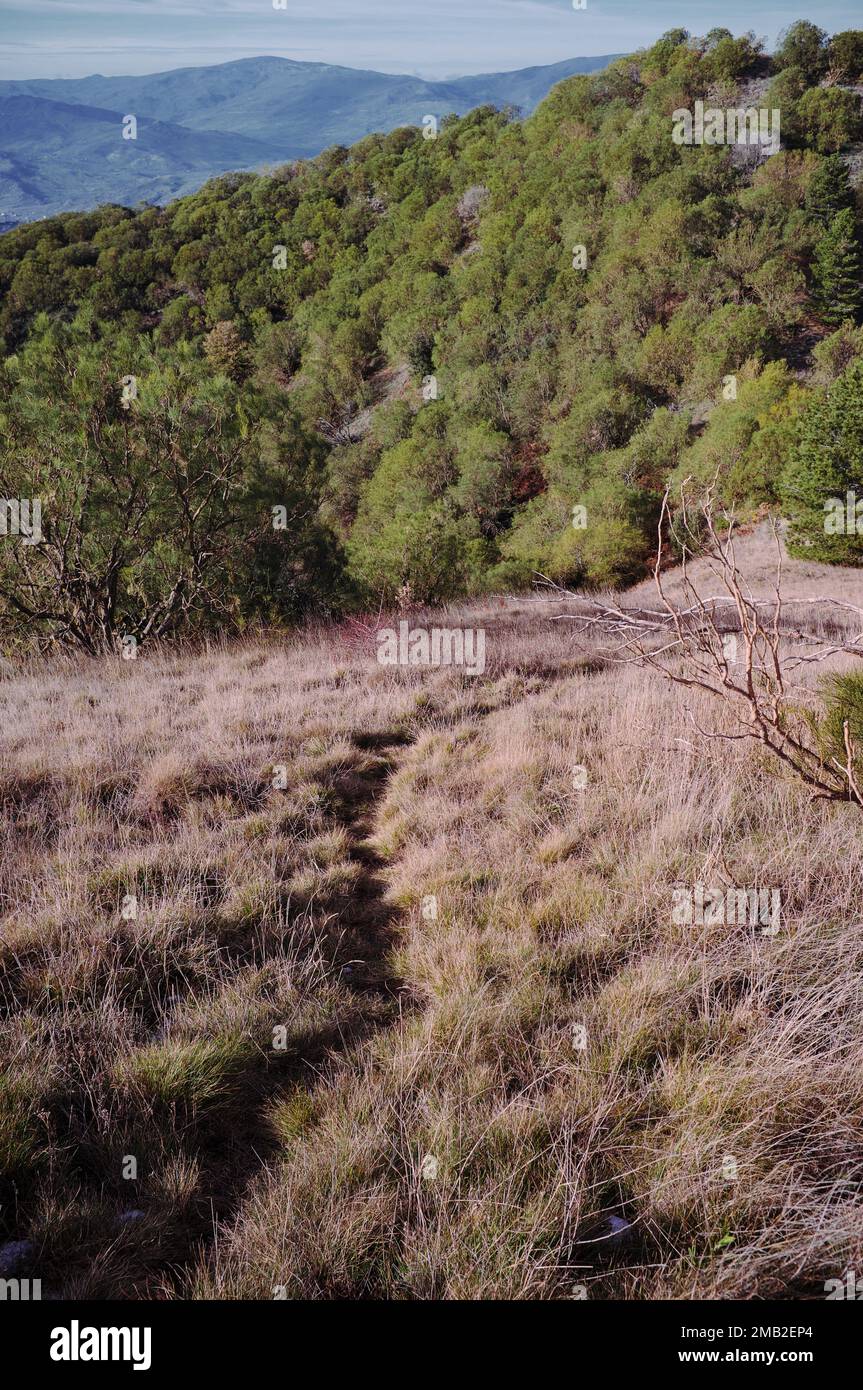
{"points": [[436, 1127]]}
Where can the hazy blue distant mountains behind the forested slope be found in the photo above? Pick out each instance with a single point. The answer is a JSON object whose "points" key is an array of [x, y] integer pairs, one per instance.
{"points": [[62, 144]]}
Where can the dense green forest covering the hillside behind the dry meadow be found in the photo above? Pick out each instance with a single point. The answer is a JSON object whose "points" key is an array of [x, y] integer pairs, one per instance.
{"points": [[426, 368]]}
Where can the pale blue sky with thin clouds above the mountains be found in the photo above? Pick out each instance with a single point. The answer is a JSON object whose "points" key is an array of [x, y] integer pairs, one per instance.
{"points": [[429, 38]]}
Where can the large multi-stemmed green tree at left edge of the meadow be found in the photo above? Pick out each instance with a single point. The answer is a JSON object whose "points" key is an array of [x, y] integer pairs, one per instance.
{"points": [[158, 484]]}
